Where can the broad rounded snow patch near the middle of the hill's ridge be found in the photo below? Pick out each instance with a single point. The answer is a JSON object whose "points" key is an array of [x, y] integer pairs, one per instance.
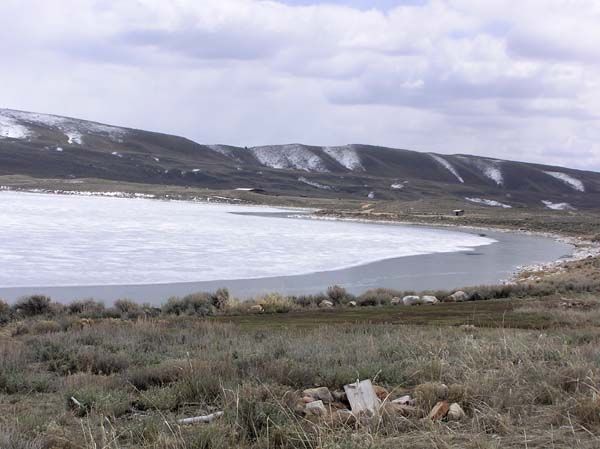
{"points": [[293, 156]]}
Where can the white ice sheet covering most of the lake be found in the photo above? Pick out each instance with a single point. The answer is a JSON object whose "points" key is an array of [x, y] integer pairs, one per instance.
{"points": [[60, 240]]}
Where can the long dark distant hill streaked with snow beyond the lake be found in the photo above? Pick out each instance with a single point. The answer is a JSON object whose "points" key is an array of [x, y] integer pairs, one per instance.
{"points": [[48, 146]]}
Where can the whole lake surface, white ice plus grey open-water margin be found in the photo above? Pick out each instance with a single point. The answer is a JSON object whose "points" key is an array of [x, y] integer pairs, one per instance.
{"points": [[76, 247]]}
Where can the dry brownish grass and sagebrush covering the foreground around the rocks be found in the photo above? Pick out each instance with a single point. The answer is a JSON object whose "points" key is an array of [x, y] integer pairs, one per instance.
{"points": [[519, 388]]}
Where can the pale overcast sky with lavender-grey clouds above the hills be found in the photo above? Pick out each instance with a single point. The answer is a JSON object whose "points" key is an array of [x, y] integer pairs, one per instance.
{"points": [[514, 79]]}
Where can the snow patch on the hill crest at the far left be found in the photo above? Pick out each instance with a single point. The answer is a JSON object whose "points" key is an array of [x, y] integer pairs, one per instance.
{"points": [[73, 129]]}
